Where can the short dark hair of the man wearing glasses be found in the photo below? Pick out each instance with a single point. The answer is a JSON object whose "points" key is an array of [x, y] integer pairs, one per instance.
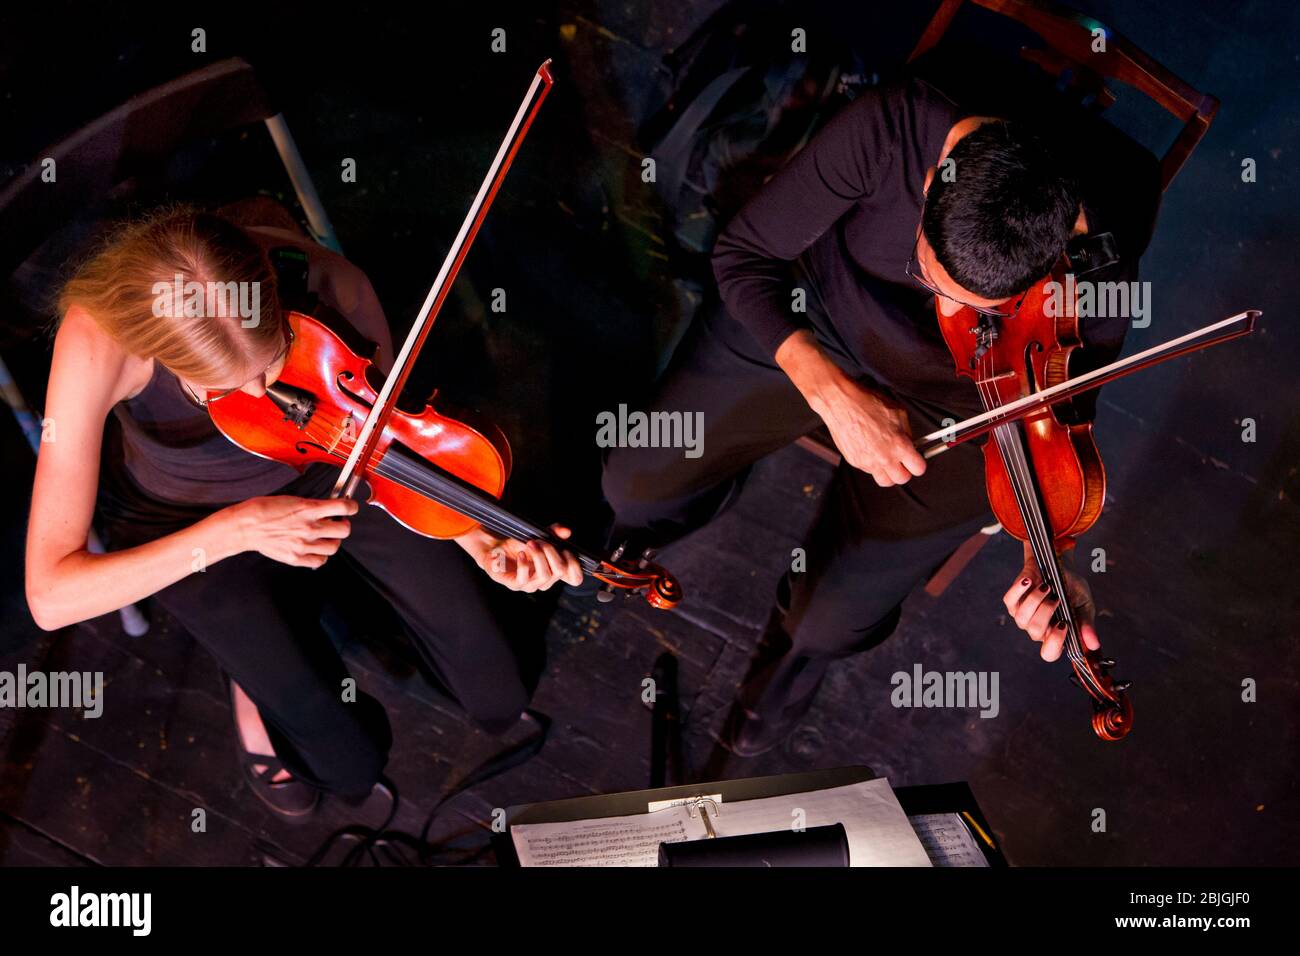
{"points": [[1007, 217]]}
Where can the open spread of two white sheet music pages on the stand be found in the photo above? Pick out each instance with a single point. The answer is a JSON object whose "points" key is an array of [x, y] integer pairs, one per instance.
{"points": [[877, 828]]}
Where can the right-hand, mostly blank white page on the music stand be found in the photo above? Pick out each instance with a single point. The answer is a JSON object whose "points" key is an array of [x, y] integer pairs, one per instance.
{"points": [[878, 830]]}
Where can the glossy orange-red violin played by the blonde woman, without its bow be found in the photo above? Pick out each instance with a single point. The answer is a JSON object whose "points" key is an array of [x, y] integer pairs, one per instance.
{"points": [[437, 475]]}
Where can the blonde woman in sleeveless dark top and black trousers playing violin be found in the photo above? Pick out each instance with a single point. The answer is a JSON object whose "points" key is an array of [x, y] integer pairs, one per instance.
{"points": [[227, 542]]}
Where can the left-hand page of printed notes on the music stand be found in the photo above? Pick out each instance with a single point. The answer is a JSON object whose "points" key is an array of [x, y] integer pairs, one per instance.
{"points": [[606, 842]]}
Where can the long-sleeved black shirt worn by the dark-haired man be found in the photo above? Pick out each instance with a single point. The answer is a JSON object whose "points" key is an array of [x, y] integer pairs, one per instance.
{"points": [[840, 220]]}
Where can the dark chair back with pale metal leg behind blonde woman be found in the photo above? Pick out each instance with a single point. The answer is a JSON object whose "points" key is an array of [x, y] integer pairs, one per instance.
{"points": [[177, 137]]}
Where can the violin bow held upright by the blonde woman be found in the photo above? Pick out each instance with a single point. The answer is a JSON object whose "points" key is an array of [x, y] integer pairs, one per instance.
{"points": [[372, 430]]}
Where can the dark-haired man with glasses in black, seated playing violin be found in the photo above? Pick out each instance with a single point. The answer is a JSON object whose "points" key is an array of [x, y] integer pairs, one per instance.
{"points": [[829, 280]]}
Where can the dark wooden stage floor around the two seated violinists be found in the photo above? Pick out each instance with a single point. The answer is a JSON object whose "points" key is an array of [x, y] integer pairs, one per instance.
{"points": [[1201, 530]]}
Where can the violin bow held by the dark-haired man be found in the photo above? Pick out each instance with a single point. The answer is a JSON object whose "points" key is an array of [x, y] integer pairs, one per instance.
{"points": [[1215, 334]]}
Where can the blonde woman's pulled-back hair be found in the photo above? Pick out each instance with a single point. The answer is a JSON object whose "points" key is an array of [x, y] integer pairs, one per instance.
{"points": [[120, 287]]}
